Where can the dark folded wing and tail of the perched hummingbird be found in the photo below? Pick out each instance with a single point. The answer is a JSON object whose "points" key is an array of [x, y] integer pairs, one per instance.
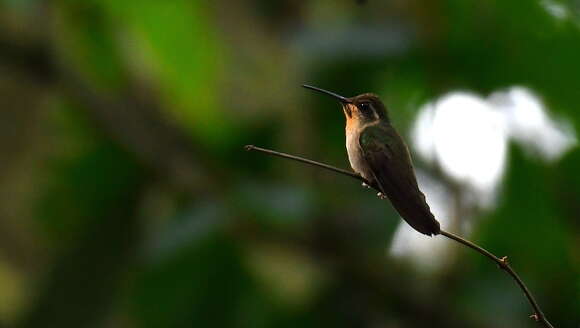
{"points": [[390, 162]]}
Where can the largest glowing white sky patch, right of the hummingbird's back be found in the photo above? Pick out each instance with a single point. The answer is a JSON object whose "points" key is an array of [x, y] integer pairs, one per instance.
{"points": [[468, 135]]}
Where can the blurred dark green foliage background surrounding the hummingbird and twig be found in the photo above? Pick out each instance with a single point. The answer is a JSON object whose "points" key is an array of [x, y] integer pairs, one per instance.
{"points": [[126, 199]]}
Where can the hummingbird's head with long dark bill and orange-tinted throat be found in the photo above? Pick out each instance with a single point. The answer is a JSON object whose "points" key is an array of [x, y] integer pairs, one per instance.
{"points": [[362, 109]]}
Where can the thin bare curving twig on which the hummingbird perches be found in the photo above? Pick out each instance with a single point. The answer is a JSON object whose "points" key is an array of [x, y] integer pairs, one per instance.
{"points": [[538, 316]]}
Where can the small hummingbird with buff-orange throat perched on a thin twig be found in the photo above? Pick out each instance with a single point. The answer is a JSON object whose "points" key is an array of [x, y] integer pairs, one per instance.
{"points": [[378, 153]]}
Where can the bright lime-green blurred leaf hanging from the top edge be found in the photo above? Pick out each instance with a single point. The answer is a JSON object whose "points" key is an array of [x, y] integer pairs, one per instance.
{"points": [[175, 43]]}
